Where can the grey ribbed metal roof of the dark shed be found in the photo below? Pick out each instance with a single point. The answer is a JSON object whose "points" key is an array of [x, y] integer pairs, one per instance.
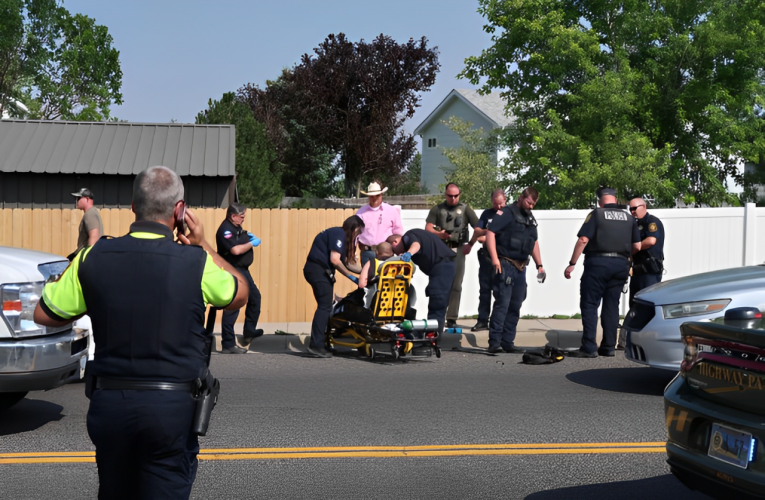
{"points": [[116, 148]]}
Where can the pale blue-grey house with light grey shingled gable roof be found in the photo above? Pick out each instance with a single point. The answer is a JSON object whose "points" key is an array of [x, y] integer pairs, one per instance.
{"points": [[483, 111]]}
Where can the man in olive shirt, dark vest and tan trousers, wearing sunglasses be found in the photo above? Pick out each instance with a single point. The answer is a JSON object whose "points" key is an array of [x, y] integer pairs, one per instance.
{"points": [[449, 221]]}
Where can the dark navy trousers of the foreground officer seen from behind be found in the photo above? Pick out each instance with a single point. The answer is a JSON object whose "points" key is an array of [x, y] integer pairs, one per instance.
{"points": [[144, 444]]}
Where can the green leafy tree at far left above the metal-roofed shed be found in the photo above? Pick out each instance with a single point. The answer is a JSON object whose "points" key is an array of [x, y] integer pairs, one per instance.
{"points": [[61, 66]]}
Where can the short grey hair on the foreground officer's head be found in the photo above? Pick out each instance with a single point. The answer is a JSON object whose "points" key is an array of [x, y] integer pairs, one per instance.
{"points": [[156, 190]]}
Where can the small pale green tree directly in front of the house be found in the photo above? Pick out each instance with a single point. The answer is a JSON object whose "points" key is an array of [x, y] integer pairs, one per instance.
{"points": [[473, 165]]}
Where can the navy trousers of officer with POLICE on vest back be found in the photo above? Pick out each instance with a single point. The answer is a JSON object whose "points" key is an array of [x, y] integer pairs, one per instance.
{"points": [[603, 279]]}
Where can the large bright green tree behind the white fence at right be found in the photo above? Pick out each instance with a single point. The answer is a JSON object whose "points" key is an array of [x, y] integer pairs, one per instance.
{"points": [[659, 98]]}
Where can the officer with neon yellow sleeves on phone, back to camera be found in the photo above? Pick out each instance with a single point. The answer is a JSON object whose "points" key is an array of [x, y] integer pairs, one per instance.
{"points": [[146, 296]]}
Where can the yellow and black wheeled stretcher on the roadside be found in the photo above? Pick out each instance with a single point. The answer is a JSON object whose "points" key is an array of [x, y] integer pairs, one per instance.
{"points": [[388, 326]]}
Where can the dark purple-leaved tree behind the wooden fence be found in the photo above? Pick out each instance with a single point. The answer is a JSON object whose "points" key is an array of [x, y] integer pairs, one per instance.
{"points": [[346, 104]]}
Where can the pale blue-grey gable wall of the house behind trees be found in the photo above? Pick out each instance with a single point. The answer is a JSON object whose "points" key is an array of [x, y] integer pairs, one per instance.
{"points": [[432, 158]]}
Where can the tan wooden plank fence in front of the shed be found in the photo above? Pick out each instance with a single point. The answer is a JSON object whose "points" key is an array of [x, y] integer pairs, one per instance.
{"points": [[277, 268]]}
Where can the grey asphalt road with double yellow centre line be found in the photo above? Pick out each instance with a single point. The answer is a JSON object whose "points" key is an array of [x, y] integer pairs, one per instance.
{"points": [[392, 410]]}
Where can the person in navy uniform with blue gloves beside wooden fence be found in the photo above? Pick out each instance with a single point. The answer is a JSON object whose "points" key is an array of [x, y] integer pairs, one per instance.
{"points": [[235, 245]]}
